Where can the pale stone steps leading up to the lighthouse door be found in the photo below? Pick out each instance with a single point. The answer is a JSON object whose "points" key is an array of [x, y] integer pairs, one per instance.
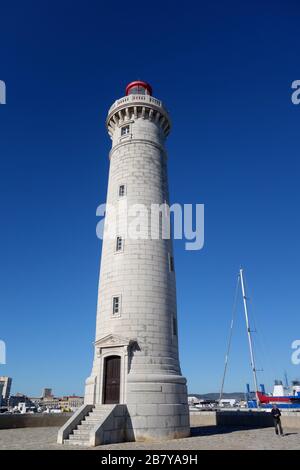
{"points": [[80, 436]]}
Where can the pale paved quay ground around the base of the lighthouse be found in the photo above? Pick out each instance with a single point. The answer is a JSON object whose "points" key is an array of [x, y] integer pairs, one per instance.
{"points": [[204, 438]]}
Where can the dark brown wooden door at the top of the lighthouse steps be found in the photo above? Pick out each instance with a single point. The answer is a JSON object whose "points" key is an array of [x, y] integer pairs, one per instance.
{"points": [[112, 369]]}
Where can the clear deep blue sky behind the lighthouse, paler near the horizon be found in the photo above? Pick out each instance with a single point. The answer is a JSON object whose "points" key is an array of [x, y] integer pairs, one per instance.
{"points": [[224, 70]]}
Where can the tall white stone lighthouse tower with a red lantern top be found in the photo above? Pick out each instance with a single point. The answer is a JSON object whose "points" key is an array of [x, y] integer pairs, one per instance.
{"points": [[136, 359]]}
